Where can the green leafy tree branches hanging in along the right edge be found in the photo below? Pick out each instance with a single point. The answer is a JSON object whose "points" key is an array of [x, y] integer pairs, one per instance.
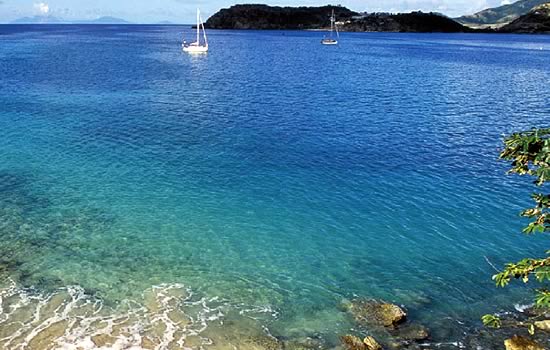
{"points": [[529, 153]]}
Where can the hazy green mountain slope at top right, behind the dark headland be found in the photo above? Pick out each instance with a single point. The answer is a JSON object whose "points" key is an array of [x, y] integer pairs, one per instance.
{"points": [[498, 16]]}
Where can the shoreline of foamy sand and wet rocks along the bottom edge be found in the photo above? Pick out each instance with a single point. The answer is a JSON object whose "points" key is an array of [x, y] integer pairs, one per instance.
{"points": [[172, 316]]}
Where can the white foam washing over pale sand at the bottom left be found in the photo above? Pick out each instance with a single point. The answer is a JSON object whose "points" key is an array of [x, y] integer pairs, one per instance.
{"points": [[168, 317]]}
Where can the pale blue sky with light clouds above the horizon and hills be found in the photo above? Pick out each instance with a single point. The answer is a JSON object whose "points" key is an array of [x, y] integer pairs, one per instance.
{"points": [[184, 11]]}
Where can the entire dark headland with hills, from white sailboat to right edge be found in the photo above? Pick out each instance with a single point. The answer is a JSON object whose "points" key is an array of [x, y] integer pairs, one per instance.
{"points": [[264, 17]]}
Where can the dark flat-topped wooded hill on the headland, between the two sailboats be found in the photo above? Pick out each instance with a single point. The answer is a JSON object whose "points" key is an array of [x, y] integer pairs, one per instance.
{"points": [[275, 17]]}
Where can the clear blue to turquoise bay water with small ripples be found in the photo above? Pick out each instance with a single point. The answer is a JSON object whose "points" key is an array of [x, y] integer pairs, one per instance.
{"points": [[273, 177]]}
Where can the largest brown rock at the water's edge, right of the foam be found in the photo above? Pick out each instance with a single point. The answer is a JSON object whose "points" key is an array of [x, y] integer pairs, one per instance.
{"points": [[377, 313]]}
